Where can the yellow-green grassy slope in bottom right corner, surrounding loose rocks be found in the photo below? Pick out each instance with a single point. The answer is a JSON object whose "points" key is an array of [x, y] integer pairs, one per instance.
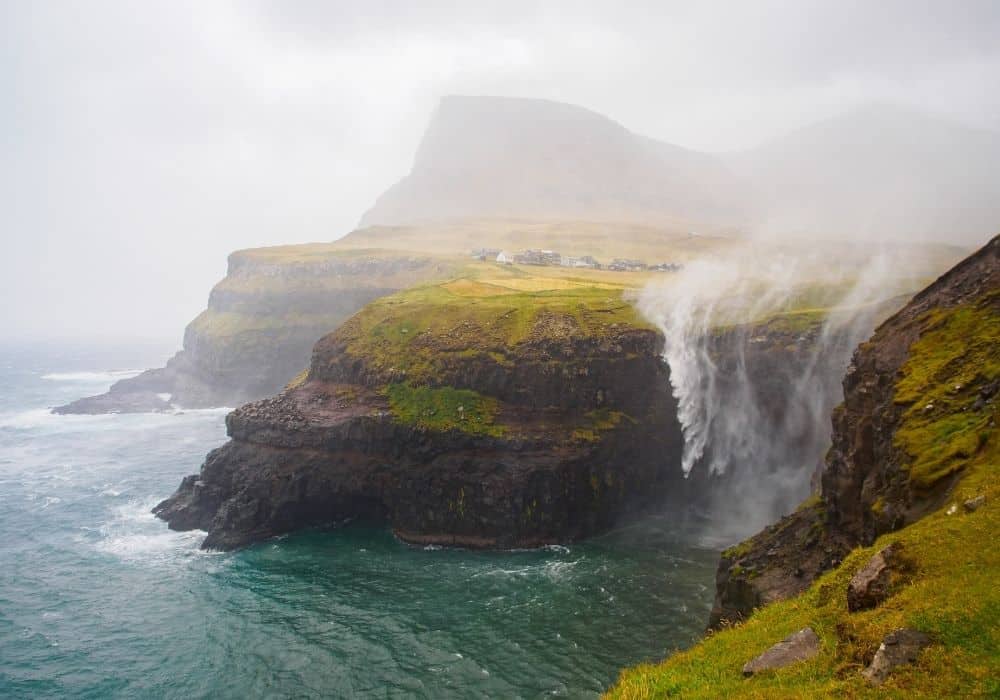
{"points": [[952, 596]]}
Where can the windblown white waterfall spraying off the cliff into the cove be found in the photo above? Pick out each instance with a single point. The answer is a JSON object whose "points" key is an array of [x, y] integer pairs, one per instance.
{"points": [[755, 382]]}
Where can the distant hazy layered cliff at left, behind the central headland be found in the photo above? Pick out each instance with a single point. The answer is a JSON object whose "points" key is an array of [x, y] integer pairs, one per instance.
{"points": [[261, 323]]}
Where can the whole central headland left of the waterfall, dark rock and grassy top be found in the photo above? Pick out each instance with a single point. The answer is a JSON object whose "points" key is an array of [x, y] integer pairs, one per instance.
{"points": [[499, 412]]}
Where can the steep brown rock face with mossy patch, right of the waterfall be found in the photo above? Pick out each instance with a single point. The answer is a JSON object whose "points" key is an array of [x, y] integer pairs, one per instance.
{"points": [[919, 408]]}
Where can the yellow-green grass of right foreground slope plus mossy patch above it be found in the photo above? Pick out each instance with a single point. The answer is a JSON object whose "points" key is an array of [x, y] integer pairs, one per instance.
{"points": [[951, 592]]}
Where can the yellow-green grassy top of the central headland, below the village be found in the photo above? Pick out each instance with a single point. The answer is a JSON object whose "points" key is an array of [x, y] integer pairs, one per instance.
{"points": [[487, 311]]}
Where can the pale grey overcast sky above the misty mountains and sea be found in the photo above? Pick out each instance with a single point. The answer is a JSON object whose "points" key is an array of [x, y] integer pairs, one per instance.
{"points": [[140, 142]]}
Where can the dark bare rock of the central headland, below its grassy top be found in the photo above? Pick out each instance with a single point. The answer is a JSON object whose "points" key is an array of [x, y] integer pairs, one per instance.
{"points": [[299, 460]]}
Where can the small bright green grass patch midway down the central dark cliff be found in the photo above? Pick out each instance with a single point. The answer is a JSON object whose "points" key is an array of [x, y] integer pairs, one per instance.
{"points": [[444, 409]]}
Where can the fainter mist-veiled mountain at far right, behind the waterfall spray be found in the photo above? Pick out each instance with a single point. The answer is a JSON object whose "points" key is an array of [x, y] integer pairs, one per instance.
{"points": [[878, 171]]}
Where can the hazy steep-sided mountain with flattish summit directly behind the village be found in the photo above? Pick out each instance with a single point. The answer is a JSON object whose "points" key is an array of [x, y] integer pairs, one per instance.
{"points": [[537, 159]]}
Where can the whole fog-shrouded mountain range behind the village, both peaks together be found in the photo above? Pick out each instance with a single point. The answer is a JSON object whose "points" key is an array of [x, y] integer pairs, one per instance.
{"points": [[876, 171]]}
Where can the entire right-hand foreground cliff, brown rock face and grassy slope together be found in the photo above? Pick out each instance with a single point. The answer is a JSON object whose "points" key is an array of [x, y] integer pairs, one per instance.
{"points": [[913, 465]]}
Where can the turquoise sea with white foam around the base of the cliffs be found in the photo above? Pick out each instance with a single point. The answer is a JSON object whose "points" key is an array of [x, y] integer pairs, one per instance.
{"points": [[99, 600]]}
